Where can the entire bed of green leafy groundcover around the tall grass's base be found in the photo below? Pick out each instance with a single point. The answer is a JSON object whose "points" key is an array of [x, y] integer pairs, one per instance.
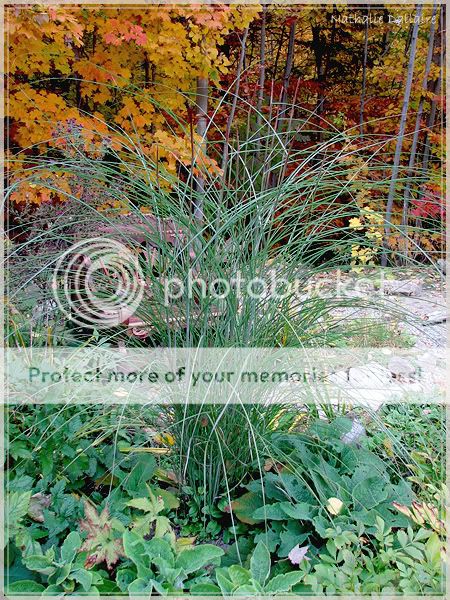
{"points": [[319, 516]]}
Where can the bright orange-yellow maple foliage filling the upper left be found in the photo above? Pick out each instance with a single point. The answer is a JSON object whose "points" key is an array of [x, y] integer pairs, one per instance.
{"points": [[105, 72]]}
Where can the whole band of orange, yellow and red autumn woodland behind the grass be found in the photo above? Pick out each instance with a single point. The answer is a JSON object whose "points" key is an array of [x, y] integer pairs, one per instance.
{"points": [[76, 77]]}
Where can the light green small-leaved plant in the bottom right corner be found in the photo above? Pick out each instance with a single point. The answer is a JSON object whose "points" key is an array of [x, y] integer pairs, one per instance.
{"points": [[405, 561]]}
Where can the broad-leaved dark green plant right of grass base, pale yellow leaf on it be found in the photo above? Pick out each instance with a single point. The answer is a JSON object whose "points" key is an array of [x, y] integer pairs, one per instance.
{"points": [[315, 470]]}
